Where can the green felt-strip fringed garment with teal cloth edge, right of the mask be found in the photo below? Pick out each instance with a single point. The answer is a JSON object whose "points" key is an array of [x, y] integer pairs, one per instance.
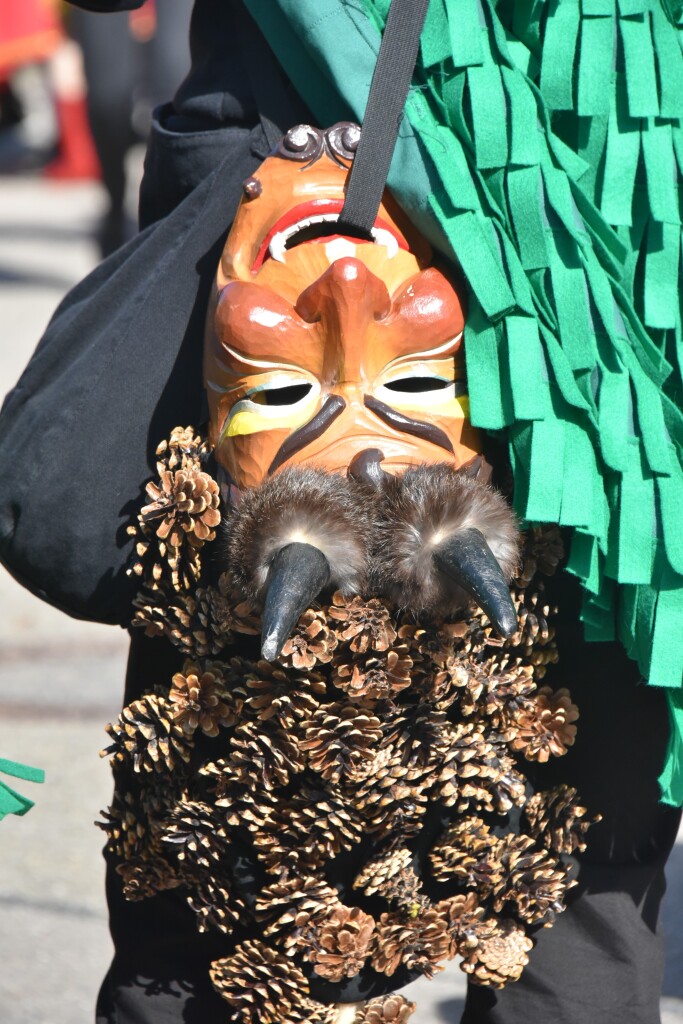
{"points": [[543, 151]]}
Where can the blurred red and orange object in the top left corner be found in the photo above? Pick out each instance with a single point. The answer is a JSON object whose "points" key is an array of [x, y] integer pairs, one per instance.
{"points": [[30, 31]]}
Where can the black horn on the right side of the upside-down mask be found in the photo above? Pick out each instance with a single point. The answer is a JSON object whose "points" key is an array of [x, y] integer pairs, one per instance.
{"points": [[467, 560]]}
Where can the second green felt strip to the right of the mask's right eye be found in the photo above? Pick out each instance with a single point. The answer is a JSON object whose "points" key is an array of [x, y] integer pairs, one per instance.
{"points": [[529, 376]]}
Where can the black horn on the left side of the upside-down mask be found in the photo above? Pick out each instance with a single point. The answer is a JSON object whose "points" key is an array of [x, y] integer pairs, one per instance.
{"points": [[297, 575]]}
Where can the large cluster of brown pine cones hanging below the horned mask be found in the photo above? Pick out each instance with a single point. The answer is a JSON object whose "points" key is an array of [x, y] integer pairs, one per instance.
{"points": [[368, 734]]}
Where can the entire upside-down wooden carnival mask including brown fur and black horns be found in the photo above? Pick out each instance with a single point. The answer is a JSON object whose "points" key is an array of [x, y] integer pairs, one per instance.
{"points": [[327, 356]]}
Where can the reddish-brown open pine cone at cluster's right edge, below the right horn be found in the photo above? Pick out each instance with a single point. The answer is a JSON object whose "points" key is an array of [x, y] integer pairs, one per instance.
{"points": [[545, 726]]}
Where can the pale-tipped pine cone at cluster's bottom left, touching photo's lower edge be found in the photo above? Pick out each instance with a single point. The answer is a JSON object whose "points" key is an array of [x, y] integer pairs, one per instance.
{"points": [[263, 987]]}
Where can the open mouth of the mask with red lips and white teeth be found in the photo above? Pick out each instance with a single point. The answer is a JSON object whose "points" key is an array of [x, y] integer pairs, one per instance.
{"points": [[315, 222]]}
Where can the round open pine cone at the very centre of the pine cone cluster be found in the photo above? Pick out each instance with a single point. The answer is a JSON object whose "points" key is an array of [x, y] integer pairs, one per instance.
{"points": [[339, 742]]}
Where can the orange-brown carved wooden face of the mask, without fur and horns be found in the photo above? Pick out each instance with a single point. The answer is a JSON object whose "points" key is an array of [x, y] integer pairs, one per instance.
{"points": [[322, 348]]}
